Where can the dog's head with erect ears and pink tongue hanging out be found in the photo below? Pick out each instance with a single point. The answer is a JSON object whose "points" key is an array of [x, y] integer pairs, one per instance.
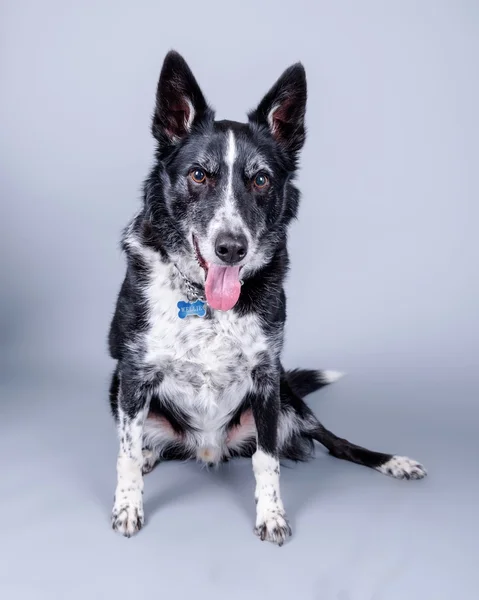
{"points": [[226, 187]]}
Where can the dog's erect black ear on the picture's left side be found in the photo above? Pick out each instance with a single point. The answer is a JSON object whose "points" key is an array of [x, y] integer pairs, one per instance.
{"points": [[180, 103]]}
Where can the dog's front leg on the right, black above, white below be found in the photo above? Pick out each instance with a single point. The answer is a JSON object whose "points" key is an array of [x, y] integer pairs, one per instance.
{"points": [[271, 521]]}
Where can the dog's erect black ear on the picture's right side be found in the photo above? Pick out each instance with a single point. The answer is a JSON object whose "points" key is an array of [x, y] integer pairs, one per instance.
{"points": [[283, 108]]}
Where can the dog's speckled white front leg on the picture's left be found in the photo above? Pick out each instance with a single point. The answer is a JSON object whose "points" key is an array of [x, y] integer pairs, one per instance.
{"points": [[133, 401]]}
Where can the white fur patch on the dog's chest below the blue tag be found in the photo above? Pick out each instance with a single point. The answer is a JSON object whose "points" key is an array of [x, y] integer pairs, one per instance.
{"points": [[205, 364]]}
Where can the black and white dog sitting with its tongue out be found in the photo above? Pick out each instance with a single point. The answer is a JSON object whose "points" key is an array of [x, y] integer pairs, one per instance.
{"points": [[198, 328]]}
